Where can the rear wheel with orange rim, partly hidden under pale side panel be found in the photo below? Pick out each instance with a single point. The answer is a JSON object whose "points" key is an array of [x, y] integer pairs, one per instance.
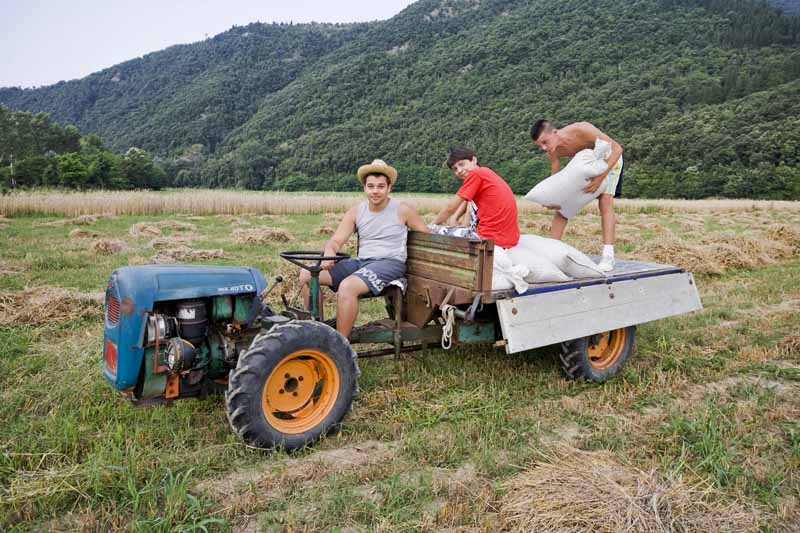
{"points": [[597, 357]]}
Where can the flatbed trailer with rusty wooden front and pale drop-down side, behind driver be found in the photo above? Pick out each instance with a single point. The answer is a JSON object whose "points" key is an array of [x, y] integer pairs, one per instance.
{"points": [[448, 300]]}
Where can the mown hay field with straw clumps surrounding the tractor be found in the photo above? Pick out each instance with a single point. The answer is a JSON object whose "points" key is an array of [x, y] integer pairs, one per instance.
{"points": [[700, 432]]}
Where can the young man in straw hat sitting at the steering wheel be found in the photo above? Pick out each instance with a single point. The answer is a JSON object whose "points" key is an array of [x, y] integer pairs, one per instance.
{"points": [[382, 224]]}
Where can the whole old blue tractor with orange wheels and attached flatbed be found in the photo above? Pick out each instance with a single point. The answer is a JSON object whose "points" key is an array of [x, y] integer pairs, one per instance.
{"points": [[289, 378]]}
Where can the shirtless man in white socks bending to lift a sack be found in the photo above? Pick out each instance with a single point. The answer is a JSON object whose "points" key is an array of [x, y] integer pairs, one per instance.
{"points": [[568, 141]]}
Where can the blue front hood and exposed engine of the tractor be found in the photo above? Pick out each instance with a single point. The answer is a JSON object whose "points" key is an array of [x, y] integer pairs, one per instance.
{"points": [[173, 331]]}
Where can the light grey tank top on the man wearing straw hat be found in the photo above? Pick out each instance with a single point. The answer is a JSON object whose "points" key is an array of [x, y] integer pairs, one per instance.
{"points": [[381, 235]]}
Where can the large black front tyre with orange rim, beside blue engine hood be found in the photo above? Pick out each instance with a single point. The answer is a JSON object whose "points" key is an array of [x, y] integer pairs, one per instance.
{"points": [[292, 386]]}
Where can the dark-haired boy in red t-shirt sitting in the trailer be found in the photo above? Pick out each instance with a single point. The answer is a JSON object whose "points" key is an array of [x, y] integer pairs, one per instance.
{"points": [[497, 207]]}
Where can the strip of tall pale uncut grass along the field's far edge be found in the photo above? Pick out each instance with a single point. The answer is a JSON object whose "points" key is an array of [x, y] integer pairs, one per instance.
{"points": [[207, 202]]}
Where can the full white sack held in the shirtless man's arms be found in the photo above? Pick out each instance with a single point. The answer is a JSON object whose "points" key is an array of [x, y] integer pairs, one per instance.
{"points": [[565, 188]]}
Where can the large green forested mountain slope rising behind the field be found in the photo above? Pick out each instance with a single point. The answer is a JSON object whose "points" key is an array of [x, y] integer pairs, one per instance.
{"points": [[703, 95]]}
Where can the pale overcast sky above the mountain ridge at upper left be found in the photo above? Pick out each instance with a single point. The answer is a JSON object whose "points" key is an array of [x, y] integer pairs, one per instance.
{"points": [[45, 41]]}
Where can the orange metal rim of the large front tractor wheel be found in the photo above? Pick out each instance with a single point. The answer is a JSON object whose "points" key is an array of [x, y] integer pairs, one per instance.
{"points": [[300, 391]]}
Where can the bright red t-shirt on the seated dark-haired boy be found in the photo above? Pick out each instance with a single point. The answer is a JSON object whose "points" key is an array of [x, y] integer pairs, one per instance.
{"points": [[497, 207]]}
